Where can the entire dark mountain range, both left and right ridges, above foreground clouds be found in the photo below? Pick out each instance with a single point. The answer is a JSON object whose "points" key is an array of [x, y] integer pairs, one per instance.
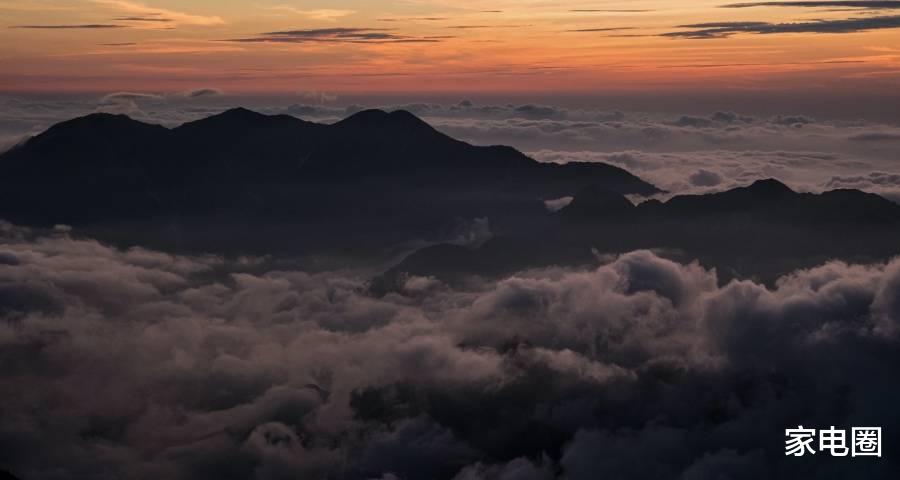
{"points": [[377, 184]]}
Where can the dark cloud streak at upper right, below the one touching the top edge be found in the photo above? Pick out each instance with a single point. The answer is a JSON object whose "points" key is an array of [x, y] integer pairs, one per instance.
{"points": [[727, 29]]}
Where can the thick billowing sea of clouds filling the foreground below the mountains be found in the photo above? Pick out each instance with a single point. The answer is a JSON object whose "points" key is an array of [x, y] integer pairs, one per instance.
{"points": [[151, 364]]}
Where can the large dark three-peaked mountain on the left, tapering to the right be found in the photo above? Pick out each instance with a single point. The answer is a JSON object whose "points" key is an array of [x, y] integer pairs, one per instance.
{"points": [[389, 174]]}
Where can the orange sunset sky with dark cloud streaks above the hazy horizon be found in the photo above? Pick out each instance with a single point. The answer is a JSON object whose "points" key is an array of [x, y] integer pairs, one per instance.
{"points": [[366, 46]]}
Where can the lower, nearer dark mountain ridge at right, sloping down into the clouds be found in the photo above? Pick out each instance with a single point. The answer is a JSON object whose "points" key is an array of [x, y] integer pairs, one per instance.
{"points": [[760, 231]]}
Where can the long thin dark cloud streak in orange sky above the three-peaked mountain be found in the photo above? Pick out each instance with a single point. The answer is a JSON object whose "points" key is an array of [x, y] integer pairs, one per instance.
{"points": [[334, 35]]}
